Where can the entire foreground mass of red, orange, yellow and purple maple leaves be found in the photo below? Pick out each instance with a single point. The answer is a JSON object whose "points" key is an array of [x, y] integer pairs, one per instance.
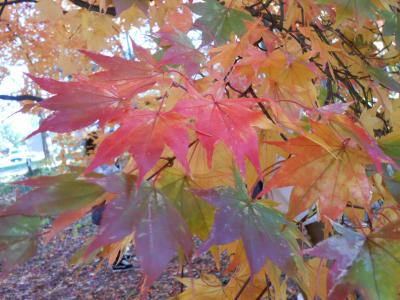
{"points": [[269, 124]]}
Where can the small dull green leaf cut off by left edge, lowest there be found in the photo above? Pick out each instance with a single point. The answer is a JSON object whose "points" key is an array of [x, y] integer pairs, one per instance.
{"points": [[17, 240]]}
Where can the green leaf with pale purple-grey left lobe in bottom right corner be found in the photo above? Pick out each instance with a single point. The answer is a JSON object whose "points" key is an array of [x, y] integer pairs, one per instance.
{"points": [[361, 263]]}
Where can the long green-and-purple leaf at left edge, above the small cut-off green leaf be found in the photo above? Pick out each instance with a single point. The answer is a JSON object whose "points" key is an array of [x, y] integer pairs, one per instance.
{"points": [[54, 195]]}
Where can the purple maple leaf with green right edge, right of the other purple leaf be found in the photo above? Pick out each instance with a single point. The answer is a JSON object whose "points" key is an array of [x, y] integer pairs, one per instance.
{"points": [[264, 231]]}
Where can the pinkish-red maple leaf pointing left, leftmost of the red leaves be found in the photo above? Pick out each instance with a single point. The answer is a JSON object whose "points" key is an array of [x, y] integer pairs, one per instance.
{"points": [[104, 96]]}
